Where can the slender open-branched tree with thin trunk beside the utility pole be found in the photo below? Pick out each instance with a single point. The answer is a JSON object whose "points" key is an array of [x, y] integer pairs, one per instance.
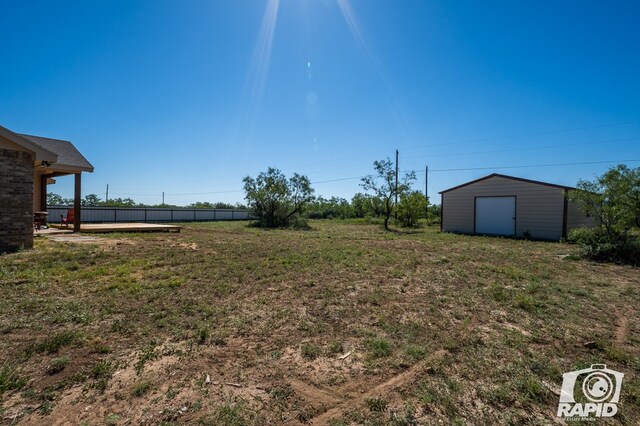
{"points": [[383, 185]]}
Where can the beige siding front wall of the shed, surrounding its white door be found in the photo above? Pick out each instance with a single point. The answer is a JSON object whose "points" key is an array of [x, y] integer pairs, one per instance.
{"points": [[539, 208]]}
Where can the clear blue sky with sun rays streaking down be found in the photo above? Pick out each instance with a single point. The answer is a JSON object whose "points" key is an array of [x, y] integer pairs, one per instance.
{"points": [[189, 96]]}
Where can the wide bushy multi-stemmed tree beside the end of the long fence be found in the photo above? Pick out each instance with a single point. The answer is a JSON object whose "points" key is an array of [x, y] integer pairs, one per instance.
{"points": [[275, 200]]}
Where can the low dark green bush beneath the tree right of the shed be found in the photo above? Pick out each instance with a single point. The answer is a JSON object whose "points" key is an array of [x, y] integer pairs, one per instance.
{"points": [[596, 244]]}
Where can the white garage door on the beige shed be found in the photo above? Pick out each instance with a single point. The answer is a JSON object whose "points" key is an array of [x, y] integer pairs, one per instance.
{"points": [[496, 215]]}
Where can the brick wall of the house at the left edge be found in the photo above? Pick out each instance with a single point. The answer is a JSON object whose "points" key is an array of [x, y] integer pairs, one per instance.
{"points": [[16, 200]]}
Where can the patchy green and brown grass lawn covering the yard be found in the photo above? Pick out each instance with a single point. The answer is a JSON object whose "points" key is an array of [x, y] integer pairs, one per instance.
{"points": [[343, 324]]}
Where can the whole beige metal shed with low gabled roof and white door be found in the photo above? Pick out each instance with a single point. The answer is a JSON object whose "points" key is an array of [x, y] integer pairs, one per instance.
{"points": [[510, 206]]}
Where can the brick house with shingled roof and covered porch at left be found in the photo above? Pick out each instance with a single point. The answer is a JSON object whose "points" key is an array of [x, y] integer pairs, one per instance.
{"points": [[27, 165]]}
